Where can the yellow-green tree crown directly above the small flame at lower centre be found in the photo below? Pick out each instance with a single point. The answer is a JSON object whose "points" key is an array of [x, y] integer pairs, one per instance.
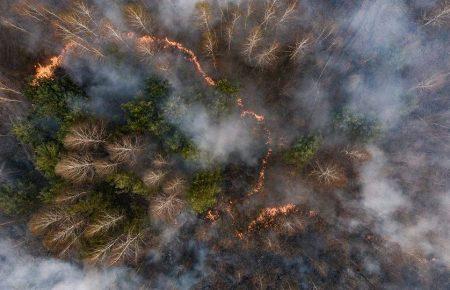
{"points": [[205, 187]]}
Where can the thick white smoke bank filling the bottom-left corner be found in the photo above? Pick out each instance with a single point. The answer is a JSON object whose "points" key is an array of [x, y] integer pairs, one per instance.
{"points": [[20, 270]]}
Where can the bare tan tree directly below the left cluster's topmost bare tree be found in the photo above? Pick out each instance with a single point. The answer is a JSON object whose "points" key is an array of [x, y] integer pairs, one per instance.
{"points": [[76, 168]]}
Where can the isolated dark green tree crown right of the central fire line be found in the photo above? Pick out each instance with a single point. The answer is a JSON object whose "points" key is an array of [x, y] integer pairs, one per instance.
{"points": [[302, 151]]}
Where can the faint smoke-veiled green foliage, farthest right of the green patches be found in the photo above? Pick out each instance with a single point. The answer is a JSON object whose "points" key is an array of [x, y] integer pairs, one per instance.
{"points": [[356, 127]]}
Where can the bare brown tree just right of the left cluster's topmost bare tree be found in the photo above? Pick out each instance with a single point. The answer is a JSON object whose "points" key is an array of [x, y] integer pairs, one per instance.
{"points": [[126, 150]]}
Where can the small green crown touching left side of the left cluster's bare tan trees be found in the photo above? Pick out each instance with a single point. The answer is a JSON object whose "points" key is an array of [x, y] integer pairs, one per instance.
{"points": [[47, 158]]}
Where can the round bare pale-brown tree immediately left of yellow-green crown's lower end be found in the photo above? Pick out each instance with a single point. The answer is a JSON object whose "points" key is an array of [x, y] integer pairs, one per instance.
{"points": [[166, 206]]}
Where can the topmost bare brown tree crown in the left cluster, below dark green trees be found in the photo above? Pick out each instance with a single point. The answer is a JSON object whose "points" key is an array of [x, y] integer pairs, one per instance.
{"points": [[85, 136]]}
